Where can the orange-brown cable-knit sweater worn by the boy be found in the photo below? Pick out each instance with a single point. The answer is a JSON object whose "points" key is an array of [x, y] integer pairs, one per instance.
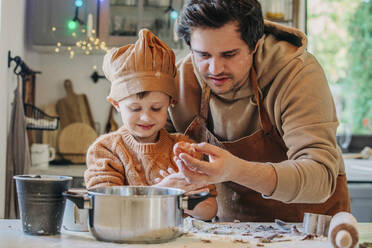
{"points": [[118, 159]]}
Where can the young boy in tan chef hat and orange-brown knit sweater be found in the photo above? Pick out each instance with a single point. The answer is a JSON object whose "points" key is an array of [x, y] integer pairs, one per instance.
{"points": [[142, 88]]}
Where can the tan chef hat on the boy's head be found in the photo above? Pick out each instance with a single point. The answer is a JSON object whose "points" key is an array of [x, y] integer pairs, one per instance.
{"points": [[147, 65]]}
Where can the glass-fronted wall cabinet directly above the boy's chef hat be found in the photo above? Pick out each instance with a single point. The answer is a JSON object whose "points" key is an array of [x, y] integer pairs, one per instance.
{"points": [[120, 20]]}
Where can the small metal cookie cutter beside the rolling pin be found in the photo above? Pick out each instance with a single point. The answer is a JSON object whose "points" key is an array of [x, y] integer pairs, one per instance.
{"points": [[316, 224]]}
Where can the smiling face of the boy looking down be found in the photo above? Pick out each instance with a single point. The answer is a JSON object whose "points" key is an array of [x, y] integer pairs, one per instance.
{"points": [[145, 117]]}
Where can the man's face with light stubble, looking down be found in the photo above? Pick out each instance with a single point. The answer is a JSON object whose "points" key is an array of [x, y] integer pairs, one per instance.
{"points": [[222, 58]]}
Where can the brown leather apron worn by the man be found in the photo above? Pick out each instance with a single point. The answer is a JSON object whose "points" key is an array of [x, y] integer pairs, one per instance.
{"points": [[236, 202]]}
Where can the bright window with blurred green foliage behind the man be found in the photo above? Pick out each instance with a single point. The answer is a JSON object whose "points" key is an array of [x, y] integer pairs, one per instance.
{"points": [[340, 37]]}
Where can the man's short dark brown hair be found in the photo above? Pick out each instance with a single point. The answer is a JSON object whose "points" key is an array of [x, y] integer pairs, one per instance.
{"points": [[217, 13]]}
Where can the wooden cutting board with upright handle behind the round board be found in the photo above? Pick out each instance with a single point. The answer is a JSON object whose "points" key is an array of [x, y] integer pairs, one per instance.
{"points": [[74, 108]]}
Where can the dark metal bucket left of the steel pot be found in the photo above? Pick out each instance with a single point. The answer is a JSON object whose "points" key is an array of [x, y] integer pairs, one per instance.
{"points": [[41, 202]]}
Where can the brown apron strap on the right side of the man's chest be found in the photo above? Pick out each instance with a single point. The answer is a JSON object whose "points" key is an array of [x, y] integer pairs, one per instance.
{"points": [[264, 117]]}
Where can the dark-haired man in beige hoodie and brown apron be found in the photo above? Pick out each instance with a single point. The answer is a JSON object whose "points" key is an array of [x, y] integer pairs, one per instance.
{"points": [[261, 105]]}
